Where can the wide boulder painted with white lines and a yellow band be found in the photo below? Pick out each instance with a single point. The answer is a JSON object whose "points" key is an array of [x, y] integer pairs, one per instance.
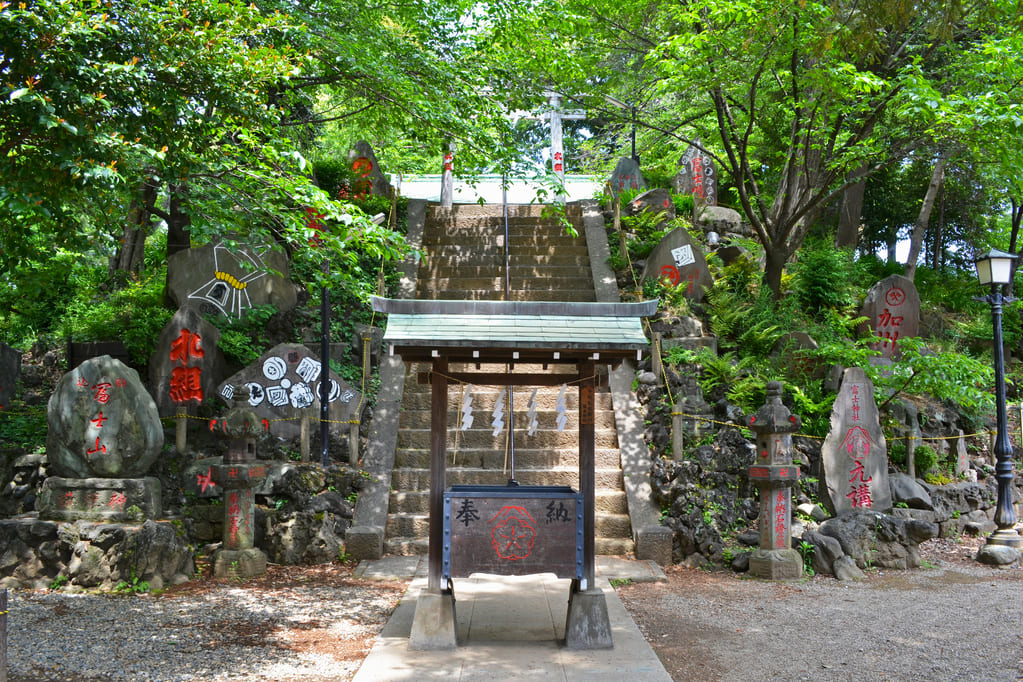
{"points": [[230, 281]]}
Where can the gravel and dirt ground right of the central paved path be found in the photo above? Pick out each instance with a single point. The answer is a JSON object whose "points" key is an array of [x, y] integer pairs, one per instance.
{"points": [[956, 621]]}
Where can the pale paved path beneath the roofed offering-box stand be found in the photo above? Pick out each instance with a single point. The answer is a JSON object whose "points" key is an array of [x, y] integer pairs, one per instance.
{"points": [[512, 628]]}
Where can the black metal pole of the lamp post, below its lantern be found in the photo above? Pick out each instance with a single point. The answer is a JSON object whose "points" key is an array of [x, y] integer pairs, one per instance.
{"points": [[1005, 514]]}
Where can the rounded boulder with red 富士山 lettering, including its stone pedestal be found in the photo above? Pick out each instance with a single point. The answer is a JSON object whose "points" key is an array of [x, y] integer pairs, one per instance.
{"points": [[104, 434]]}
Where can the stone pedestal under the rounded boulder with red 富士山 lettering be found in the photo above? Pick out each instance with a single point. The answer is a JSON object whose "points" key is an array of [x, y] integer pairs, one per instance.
{"points": [[100, 499]]}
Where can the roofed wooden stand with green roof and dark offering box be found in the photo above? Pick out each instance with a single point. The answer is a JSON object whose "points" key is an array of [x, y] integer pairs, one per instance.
{"points": [[580, 336]]}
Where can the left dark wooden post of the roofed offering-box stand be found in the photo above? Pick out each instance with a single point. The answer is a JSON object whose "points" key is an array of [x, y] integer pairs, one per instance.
{"points": [[438, 456]]}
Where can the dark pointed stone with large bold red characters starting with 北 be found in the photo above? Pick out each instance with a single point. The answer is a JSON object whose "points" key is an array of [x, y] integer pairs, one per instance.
{"points": [[187, 366]]}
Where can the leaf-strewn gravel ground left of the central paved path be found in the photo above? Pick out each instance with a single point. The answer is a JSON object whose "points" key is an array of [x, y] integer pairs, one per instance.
{"points": [[296, 623]]}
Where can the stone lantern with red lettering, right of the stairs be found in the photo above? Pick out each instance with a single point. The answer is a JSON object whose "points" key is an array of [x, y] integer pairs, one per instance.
{"points": [[775, 475]]}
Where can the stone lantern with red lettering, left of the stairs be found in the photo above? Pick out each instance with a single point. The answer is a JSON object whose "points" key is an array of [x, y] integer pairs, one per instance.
{"points": [[239, 475]]}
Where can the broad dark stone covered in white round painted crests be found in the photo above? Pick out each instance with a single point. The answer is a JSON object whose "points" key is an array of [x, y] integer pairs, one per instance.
{"points": [[284, 387]]}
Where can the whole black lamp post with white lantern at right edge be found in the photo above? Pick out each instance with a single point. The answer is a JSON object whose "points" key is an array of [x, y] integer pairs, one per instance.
{"points": [[996, 268]]}
